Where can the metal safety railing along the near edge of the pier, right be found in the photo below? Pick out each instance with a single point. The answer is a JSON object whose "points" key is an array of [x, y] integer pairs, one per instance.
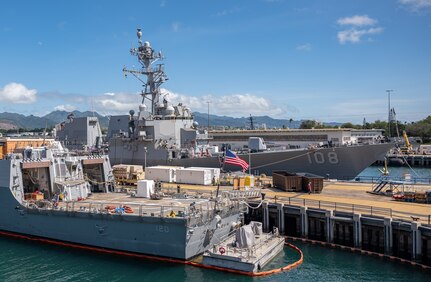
{"points": [[354, 208]]}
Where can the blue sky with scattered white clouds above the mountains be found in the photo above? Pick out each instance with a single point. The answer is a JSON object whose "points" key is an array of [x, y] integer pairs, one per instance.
{"points": [[329, 60]]}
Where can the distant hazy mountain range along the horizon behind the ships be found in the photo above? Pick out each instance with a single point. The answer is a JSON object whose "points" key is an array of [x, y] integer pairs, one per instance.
{"points": [[14, 120]]}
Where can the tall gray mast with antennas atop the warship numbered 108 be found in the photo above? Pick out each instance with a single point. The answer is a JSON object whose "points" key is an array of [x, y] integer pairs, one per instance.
{"points": [[155, 74]]}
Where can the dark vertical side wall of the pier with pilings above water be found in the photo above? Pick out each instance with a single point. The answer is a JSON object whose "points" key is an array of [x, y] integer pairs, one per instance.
{"points": [[404, 239]]}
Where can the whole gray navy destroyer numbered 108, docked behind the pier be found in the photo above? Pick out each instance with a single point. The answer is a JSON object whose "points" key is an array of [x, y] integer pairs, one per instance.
{"points": [[165, 134]]}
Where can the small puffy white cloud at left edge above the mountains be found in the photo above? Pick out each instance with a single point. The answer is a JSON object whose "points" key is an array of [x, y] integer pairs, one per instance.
{"points": [[17, 93]]}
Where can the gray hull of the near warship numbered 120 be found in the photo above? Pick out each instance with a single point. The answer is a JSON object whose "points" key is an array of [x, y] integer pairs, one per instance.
{"points": [[181, 237]]}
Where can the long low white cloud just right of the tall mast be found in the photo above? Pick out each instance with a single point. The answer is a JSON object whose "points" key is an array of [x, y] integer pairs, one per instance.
{"points": [[236, 105]]}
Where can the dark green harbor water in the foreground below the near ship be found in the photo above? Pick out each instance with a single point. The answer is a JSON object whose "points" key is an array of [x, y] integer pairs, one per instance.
{"points": [[27, 261]]}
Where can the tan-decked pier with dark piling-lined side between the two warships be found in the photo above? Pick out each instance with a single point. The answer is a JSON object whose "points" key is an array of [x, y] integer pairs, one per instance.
{"points": [[344, 214]]}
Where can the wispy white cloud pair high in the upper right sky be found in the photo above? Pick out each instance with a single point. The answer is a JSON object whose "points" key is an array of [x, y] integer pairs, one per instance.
{"points": [[356, 31]]}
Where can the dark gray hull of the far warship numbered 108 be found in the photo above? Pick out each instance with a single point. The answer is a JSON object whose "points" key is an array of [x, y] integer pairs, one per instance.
{"points": [[337, 162]]}
